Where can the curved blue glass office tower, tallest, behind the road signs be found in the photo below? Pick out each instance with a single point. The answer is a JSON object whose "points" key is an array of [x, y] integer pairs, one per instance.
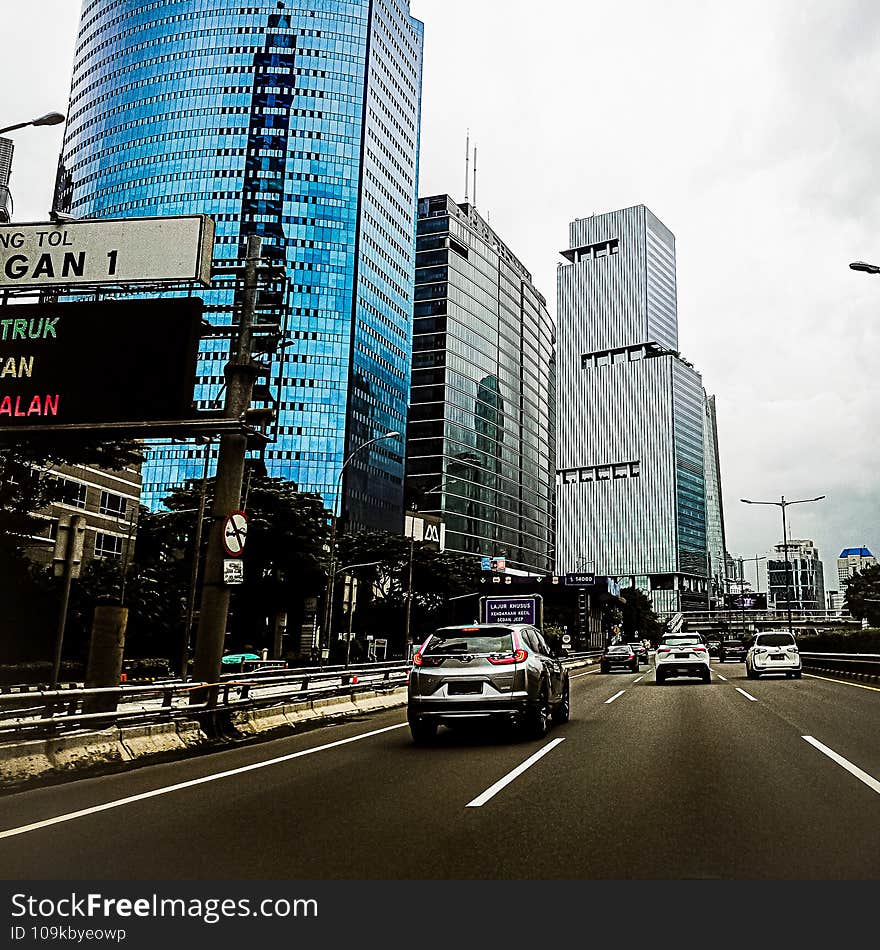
{"points": [[298, 122]]}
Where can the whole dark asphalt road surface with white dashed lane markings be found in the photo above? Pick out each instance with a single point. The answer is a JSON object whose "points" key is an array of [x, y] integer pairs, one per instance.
{"points": [[736, 779]]}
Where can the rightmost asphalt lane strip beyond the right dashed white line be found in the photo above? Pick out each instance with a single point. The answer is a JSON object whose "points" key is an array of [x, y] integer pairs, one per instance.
{"points": [[844, 715]]}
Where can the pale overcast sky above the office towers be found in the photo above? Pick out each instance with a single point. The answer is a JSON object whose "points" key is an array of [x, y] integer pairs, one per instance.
{"points": [[749, 129]]}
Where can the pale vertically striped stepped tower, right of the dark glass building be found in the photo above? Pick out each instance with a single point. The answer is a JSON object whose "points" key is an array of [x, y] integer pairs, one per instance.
{"points": [[631, 458]]}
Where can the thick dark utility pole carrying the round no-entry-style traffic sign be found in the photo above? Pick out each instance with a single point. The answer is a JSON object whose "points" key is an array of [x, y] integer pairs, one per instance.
{"points": [[240, 372]]}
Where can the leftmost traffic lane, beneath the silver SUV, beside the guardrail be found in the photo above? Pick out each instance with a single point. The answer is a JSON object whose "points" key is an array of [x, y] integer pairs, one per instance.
{"points": [[348, 811]]}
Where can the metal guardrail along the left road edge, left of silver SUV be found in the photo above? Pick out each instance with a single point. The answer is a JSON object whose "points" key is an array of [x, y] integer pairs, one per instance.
{"points": [[51, 712]]}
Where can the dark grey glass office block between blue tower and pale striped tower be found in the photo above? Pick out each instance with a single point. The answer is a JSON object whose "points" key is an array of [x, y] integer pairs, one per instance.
{"points": [[481, 435]]}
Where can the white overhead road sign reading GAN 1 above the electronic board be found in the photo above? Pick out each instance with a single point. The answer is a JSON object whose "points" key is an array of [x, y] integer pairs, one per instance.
{"points": [[107, 251]]}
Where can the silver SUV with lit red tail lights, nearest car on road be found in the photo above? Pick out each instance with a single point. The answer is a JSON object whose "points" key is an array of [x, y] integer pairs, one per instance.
{"points": [[487, 671]]}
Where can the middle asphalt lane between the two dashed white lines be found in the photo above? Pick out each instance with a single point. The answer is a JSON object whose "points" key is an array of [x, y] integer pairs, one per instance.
{"points": [[683, 781]]}
